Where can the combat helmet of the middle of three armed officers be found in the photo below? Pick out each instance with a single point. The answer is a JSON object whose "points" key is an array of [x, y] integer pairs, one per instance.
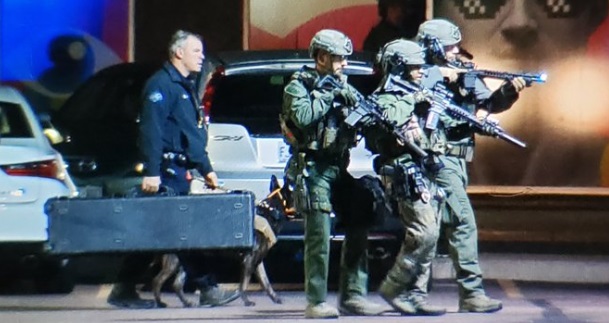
{"points": [[400, 52]]}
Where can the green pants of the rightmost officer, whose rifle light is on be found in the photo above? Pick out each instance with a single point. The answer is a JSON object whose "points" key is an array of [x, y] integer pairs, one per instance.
{"points": [[461, 230]]}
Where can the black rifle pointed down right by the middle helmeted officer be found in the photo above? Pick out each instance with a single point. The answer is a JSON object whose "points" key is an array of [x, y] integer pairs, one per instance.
{"points": [[440, 100]]}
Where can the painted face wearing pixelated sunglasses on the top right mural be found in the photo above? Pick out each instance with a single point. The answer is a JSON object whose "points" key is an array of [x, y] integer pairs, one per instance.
{"points": [[522, 30]]}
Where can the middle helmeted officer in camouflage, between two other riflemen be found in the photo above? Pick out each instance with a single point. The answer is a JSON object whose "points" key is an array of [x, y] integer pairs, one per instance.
{"points": [[408, 178]]}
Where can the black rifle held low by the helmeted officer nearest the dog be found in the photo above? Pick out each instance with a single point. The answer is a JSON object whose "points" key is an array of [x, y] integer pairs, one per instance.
{"points": [[366, 112]]}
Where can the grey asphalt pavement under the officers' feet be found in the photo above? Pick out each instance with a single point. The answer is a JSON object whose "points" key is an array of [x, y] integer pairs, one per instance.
{"points": [[523, 302]]}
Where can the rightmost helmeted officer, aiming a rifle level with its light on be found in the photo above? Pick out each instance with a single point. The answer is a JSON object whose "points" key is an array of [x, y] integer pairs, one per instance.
{"points": [[441, 39]]}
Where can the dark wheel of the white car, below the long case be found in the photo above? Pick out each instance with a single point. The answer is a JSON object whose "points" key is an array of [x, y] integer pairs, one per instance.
{"points": [[54, 277]]}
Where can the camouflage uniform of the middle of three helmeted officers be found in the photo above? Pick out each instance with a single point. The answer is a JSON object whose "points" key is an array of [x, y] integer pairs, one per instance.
{"points": [[420, 216]]}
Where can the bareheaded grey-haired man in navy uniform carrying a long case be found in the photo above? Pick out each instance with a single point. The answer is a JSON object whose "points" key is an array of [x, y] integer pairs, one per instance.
{"points": [[173, 138]]}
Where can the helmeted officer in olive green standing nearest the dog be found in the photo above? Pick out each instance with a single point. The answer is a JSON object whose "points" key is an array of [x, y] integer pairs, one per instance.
{"points": [[320, 142]]}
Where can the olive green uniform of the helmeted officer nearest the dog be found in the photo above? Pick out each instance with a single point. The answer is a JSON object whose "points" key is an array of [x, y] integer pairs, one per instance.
{"points": [[320, 145]]}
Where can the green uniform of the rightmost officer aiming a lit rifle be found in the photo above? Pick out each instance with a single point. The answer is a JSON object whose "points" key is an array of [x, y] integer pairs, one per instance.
{"points": [[458, 216]]}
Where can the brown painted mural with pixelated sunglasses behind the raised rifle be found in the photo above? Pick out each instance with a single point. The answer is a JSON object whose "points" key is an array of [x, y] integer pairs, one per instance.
{"points": [[564, 121]]}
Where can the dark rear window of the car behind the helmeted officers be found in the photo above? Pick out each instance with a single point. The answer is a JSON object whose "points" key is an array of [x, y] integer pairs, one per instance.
{"points": [[254, 100]]}
